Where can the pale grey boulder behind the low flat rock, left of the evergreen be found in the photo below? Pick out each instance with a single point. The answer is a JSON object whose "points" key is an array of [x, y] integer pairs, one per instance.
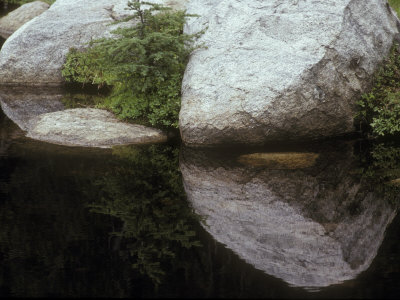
{"points": [[35, 53]]}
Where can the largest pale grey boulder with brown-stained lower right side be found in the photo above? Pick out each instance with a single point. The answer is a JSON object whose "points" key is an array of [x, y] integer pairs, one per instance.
{"points": [[280, 69]]}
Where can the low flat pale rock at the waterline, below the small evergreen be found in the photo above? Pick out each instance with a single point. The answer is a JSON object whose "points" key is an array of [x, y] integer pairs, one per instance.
{"points": [[89, 127]]}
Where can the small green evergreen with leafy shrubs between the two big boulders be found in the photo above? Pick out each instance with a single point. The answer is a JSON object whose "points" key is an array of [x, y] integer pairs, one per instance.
{"points": [[144, 65]]}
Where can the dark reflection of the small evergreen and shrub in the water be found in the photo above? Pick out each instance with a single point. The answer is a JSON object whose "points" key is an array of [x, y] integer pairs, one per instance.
{"points": [[145, 192]]}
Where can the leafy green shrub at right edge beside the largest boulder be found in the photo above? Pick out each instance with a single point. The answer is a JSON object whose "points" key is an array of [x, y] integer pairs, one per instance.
{"points": [[379, 109]]}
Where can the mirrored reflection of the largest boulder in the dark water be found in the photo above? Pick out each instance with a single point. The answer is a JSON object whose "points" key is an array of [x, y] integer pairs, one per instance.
{"points": [[311, 227]]}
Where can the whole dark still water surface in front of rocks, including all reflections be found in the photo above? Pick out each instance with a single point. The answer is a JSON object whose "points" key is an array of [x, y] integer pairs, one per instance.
{"points": [[167, 221]]}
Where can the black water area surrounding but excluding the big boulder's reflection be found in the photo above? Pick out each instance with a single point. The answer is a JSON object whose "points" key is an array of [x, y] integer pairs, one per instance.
{"points": [[62, 212]]}
